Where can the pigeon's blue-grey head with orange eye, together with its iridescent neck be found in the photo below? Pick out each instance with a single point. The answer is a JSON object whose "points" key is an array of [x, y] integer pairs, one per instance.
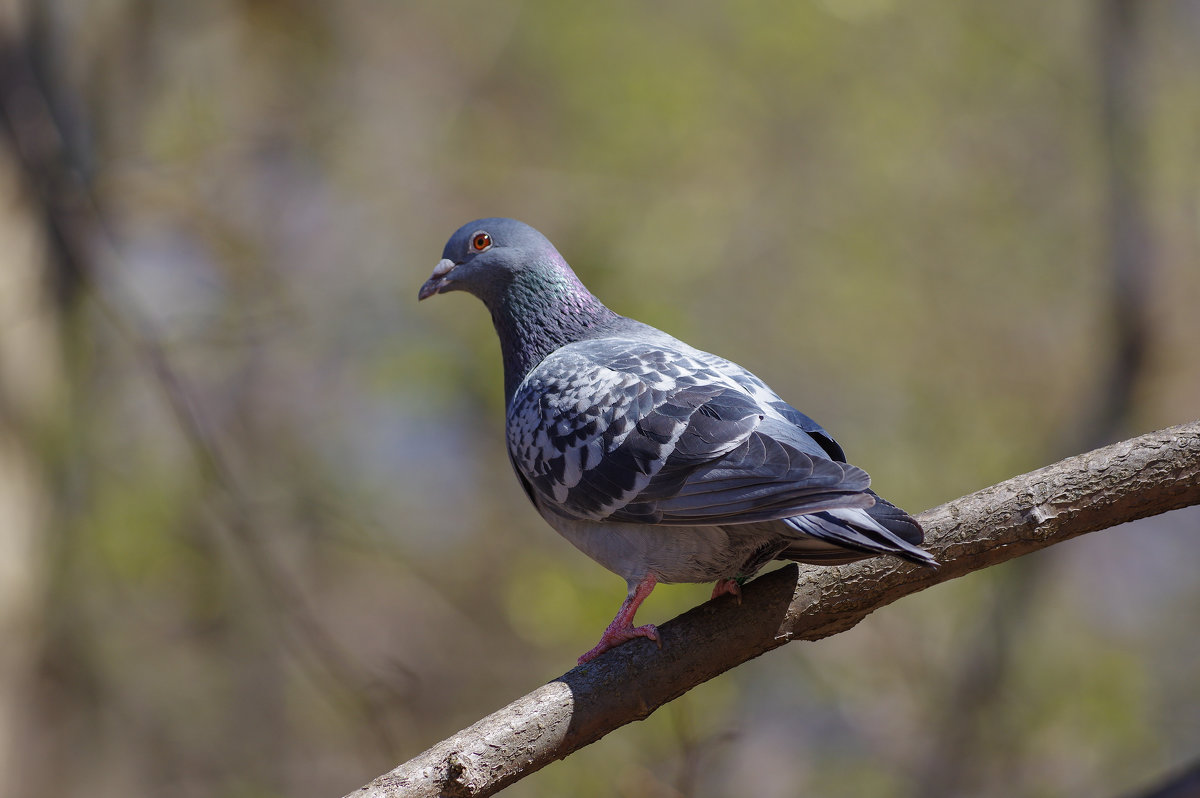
{"points": [[536, 301]]}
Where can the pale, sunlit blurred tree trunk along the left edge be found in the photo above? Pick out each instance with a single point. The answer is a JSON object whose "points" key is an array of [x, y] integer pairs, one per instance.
{"points": [[32, 391]]}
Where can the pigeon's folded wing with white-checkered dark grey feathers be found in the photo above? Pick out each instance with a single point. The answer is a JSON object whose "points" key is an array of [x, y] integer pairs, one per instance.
{"points": [[613, 430]]}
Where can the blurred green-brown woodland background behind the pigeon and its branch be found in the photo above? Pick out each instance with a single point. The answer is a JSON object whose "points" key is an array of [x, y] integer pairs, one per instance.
{"points": [[259, 535]]}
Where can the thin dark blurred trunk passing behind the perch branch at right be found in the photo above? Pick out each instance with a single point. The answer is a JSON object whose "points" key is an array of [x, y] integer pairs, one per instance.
{"points": [[971, 712]]}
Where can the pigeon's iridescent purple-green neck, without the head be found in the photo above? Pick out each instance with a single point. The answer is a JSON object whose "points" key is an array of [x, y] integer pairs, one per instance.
{"points": [[544, 309]]}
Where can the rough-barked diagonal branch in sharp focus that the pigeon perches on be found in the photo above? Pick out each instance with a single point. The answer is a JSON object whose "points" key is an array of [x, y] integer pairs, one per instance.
{"points": [[1130, 481]]}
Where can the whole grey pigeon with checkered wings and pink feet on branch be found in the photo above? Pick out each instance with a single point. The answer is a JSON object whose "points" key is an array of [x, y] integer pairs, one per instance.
{"points": [[662, 463]]}
